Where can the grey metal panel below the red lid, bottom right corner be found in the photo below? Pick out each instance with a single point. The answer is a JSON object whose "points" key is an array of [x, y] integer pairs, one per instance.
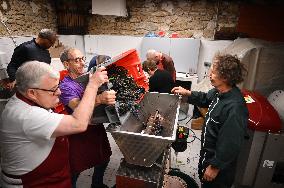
{"points": [[258, 160]]}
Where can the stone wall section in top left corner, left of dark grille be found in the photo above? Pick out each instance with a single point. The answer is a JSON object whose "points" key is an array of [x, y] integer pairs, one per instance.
{"points": [[26, 17]]}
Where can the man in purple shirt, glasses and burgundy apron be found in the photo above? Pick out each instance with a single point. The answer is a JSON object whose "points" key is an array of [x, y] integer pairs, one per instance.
{"points": [[91, 148]]}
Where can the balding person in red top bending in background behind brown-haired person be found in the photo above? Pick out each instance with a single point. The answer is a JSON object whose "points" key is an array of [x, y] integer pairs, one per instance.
{"points": [[164, 62]]}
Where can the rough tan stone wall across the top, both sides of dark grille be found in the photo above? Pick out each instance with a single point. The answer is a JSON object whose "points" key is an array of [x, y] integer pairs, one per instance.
{"points": [[198, 18]]}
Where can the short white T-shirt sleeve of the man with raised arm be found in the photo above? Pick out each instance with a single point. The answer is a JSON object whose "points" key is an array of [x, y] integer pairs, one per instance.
{"points": [[41, 123]]}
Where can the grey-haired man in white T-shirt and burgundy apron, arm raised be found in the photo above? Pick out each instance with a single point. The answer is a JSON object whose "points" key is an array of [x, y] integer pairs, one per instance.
{"points": [[34, 147]]}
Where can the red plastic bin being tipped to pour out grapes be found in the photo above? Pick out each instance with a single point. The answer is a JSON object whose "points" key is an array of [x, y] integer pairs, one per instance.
{"points": [[130, 60]]}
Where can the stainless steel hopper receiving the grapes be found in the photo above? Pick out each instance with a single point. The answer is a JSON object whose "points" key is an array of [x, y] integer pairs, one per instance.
{"points": [[143, 149]]}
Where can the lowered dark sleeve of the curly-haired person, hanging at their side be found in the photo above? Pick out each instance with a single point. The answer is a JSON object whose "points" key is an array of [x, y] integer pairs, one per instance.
{"points": [[230, 137]]}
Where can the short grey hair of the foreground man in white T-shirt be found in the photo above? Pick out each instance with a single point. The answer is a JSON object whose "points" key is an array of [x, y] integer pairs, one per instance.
{"points": [[30, 74]]}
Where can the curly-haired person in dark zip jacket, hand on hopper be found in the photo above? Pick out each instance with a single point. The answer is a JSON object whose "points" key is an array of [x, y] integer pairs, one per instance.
{"points": [[225, 123]]}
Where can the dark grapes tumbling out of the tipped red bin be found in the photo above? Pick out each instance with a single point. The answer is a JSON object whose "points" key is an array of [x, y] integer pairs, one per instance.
{"points": [[127, 91]]}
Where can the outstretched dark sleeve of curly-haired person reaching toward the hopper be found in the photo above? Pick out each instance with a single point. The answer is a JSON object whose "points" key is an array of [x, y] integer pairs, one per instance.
{"points": [[201, 99]]}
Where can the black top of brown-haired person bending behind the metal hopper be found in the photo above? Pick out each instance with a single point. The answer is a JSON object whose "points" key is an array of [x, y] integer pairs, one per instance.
{"points": [[161, 82]]}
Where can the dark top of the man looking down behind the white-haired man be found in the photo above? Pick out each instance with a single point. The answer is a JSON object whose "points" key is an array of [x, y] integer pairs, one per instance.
{"points": [[26, 51]]}
